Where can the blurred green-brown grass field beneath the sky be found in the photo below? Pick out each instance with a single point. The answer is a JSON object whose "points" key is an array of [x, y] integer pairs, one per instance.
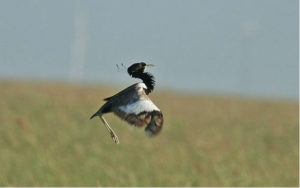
{"points": [[47, 139]]}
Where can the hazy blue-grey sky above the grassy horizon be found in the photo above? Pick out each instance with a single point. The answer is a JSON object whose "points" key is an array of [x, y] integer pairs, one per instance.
{"points": [[223, 47]]}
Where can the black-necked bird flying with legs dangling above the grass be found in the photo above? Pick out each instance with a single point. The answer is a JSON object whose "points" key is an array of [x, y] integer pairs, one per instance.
{"points": [[133, 104]]}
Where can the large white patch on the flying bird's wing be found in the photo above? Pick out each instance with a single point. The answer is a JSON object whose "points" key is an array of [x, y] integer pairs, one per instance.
{"points": [[139, 106]]}
